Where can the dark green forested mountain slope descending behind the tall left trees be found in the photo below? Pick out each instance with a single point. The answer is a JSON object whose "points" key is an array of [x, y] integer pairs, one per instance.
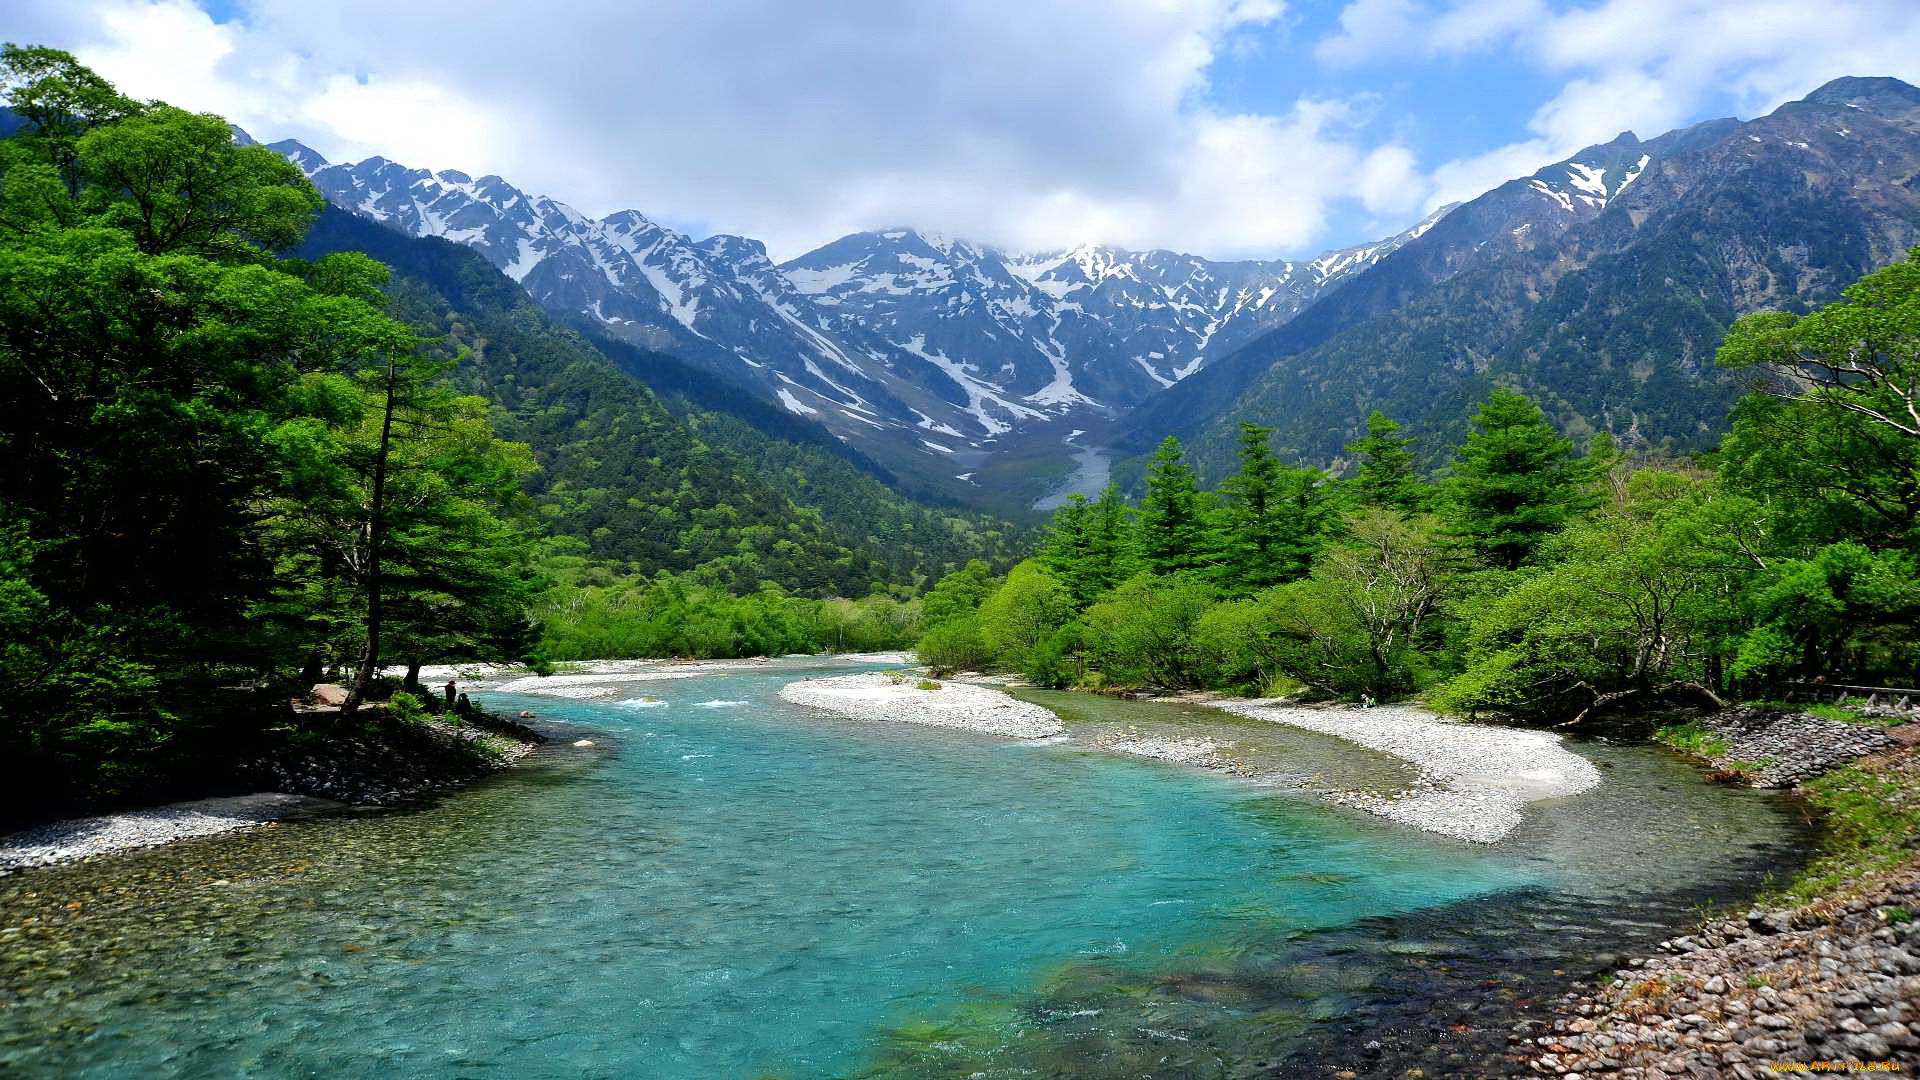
{"points": [[663, 481]]}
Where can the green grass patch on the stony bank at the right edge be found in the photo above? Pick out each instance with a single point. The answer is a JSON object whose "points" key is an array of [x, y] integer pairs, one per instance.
{"points": [[1871, 816]]}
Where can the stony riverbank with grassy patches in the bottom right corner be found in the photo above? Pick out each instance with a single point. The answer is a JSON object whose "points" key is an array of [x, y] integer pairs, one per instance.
{"points": [[1827, 970]]}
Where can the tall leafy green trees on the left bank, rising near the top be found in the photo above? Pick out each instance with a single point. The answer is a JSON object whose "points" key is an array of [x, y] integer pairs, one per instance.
{"points": [[189, 445]]}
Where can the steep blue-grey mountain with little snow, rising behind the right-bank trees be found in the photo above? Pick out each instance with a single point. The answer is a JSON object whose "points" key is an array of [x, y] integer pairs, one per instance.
{"points": [[1600, 285]]}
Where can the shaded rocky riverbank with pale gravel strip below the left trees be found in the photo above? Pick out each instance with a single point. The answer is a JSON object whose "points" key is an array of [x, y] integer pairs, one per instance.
{"points": [[377, 766]]}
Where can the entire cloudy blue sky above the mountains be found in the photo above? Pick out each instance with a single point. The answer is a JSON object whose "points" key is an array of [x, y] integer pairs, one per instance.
{"points": [[1226, 128]]}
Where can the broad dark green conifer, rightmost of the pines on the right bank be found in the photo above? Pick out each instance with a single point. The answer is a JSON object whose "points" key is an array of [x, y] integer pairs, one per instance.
{"points": [[1516, 483]]}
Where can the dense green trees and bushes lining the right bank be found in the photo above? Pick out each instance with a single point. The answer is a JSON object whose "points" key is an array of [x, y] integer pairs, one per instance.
{"points": [[1525, 579]]}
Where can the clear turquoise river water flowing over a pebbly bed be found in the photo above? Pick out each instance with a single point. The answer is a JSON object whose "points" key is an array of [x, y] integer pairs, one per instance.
{"points": [[732, 887]]}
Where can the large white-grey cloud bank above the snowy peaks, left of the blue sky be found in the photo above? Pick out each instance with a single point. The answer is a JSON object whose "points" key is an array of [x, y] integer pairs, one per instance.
{"points": [[1017, 122]]}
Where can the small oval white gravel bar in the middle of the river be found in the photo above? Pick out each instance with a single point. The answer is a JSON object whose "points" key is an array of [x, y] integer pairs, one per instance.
{"points": [[913, 700]]}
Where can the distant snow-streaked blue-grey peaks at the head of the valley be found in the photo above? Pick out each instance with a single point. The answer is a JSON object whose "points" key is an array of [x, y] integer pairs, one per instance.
{"points": [[926, 353]]}
